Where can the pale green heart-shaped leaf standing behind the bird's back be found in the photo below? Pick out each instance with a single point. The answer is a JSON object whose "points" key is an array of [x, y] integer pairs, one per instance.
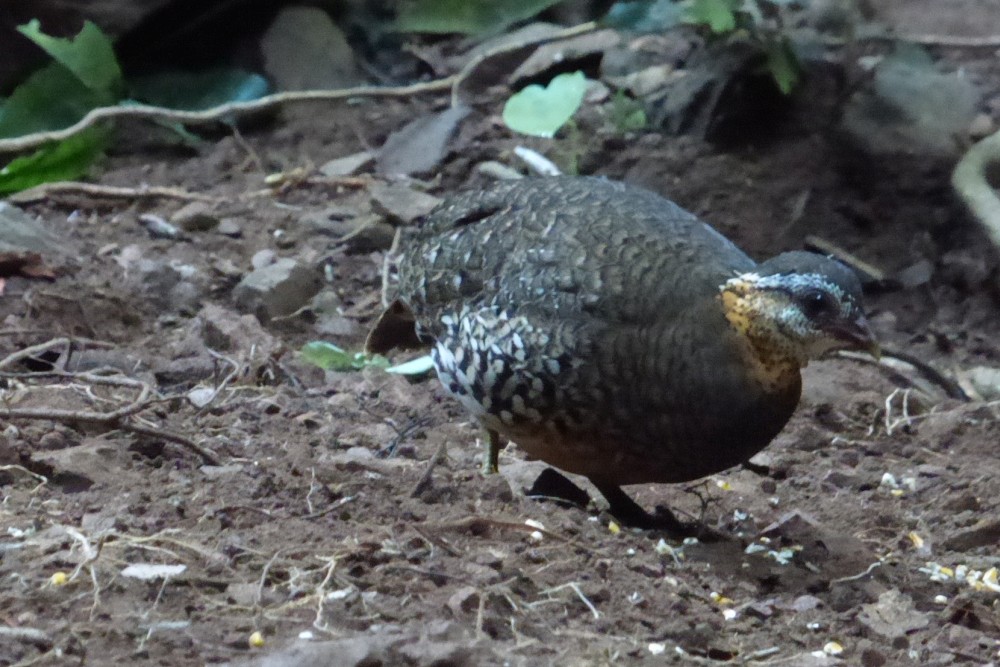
{"points": [[540, 112]]}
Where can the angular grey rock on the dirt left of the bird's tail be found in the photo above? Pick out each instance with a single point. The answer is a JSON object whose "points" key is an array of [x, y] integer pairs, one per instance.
{"points": [[277, 289]]}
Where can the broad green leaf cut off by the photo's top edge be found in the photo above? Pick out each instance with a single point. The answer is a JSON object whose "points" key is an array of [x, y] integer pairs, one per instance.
{"points": [[470, 17]]}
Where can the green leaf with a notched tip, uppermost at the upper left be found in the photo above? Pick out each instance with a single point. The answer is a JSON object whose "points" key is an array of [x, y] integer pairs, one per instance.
{"points": [[90, 55]]}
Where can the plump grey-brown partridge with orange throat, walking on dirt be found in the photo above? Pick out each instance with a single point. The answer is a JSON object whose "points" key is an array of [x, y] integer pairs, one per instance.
{"points": [[610, 333]]}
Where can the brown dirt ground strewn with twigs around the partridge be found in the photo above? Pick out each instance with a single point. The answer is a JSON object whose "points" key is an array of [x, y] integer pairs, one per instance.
{"points": [[347, 522]]}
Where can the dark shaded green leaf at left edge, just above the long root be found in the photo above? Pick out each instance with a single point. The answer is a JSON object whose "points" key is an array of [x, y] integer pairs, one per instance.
{"points": [[50, 99]]}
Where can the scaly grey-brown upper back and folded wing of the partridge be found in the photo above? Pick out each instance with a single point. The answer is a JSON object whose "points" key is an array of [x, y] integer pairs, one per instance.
{"points": [[572, 246]]}
